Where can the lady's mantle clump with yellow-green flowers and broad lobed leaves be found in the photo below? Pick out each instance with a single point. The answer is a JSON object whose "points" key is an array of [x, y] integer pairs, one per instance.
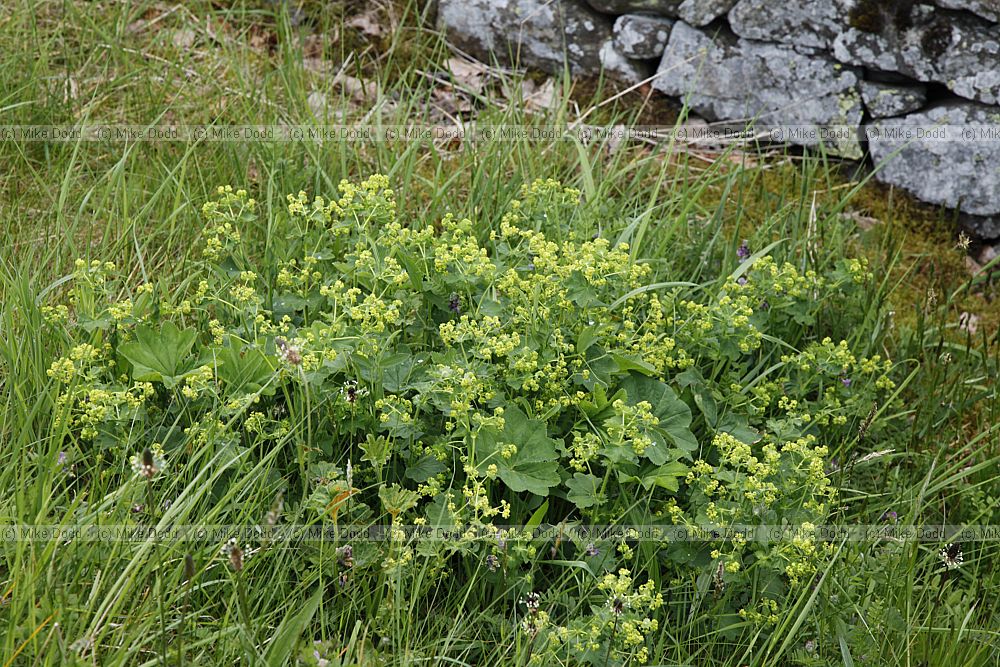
{"points": [[405, 373]]}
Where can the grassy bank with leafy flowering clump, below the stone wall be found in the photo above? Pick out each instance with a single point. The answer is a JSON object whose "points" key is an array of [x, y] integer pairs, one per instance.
{"points": [[621, 334]]}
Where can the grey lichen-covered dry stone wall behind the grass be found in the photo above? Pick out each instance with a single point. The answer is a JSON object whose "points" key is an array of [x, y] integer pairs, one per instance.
{"points": [[885, 68]]}
